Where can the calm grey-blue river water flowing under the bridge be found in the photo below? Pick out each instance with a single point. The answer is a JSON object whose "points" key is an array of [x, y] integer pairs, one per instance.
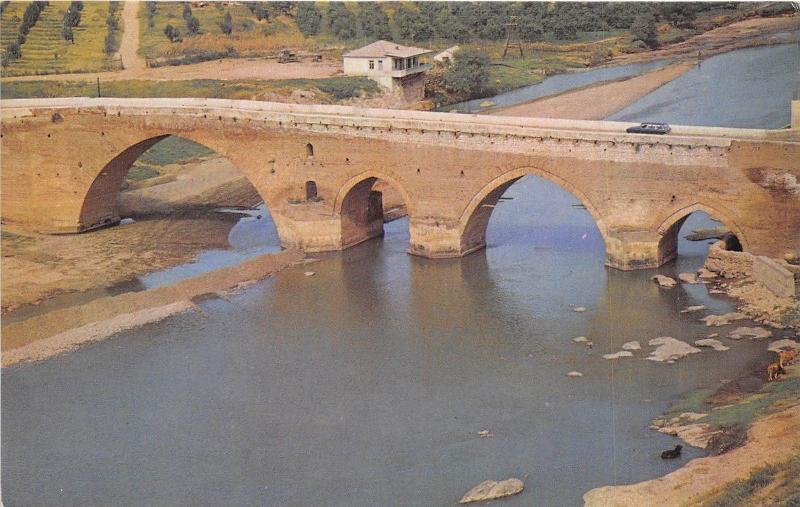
{"points": [[366, 383]]}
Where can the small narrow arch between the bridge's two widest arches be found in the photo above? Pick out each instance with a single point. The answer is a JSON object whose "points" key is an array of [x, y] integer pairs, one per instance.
{"points": [[360, 207]]}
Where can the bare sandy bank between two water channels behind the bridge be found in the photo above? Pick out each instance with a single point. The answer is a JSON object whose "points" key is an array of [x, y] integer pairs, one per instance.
{"points": [[598, 101]]}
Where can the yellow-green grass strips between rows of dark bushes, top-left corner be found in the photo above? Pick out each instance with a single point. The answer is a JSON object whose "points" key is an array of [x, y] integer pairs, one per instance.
{"points": [[46, 51]]}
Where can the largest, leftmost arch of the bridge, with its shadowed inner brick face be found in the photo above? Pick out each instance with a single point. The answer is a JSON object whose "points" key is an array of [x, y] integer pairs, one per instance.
{"points": [[99, 203]]}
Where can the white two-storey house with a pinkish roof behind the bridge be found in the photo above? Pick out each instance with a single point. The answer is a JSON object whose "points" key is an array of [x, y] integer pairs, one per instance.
{"points": [[390, 64]]}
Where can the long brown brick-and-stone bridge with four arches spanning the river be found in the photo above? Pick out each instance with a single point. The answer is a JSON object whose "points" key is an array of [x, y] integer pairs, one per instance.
{"points": [[63, 161]]}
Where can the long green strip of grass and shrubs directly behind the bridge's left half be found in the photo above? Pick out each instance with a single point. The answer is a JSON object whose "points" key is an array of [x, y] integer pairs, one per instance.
{"points": [[326, 90]]}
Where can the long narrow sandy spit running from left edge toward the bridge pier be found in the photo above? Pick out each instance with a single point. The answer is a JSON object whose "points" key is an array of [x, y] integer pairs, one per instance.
{"points": [[63, 330]]}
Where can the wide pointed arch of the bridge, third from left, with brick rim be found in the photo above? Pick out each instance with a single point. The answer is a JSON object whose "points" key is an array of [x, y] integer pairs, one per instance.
{"points": [[475, 218]]}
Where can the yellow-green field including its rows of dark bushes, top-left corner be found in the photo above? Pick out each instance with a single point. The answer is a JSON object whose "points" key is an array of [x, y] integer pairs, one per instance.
{"points": [[64, 38]]}
